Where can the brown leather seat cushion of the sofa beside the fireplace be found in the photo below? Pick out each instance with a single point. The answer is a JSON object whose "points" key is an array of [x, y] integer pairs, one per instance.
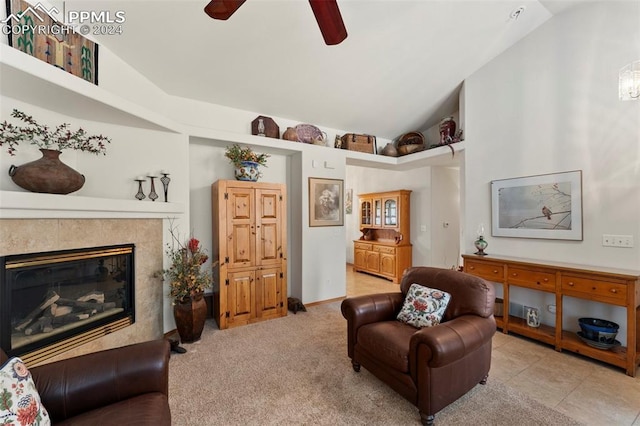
{"points": [[147, 409]]}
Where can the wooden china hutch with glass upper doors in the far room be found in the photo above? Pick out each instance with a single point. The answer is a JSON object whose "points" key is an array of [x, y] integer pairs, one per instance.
{"points": [[384, 249]]}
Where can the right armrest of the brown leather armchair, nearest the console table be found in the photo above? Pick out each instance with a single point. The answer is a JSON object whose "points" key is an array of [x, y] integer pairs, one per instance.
{"points": [[450, 341]]}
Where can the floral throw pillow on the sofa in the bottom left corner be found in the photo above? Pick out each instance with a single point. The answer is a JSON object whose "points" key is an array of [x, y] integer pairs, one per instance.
{"points": [[19, 400]]}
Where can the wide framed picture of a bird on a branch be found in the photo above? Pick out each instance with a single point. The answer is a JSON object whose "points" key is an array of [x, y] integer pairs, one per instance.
{"points": [[543, 206]]}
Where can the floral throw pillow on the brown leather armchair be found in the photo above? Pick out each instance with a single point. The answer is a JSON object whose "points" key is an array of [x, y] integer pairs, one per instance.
{"points": [[423, 306]]}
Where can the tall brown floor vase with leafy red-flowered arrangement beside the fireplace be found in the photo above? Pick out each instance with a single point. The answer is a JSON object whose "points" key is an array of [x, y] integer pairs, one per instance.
{"points": [[187, 282]]}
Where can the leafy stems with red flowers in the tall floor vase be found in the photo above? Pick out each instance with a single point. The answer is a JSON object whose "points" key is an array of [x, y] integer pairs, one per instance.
{"points": [[186, 274]]}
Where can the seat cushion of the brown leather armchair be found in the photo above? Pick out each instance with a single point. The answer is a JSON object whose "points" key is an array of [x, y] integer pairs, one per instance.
{"points": [[388, 341]]}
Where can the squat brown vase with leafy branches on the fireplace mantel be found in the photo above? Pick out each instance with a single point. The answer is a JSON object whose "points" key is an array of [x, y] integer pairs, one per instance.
{"points": [[48, 174]]}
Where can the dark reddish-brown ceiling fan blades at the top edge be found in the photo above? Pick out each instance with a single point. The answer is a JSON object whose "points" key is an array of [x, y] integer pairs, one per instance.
{"points": [[326, 12]]}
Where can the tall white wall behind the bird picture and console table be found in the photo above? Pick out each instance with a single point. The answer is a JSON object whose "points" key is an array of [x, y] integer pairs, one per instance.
{"points": [[550, 104]]}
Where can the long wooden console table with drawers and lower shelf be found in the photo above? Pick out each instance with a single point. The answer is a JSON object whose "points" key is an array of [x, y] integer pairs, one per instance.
{"points": [[605, 285]]}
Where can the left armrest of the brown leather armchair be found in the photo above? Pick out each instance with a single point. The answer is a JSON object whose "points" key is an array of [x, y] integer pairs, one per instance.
{"points": [[362, 310]]}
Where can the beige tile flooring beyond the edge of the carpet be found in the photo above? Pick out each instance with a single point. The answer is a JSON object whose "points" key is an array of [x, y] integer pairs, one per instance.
{"points": [[587, 390]]}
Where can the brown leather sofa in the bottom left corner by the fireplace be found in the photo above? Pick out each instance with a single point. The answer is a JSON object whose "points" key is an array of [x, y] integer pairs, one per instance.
{"points": [[122, 386]]}
